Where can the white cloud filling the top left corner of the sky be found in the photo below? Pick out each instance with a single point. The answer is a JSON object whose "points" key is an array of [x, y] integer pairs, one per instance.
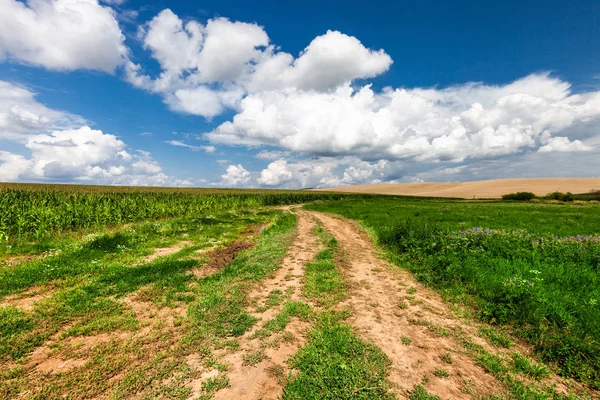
{"points": [[61, 34]]}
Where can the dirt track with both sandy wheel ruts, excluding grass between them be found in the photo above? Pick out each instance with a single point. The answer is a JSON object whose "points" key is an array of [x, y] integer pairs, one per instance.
{"points": [[408, 322]]}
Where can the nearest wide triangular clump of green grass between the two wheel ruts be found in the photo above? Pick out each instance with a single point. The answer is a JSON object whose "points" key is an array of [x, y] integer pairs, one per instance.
{"points": [[336, 364]]}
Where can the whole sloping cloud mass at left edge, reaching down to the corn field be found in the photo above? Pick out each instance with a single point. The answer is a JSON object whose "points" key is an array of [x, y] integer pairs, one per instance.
{"points": [[62, 150]]}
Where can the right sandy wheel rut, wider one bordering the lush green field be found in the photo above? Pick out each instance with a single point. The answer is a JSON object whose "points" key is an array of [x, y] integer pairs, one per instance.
{"points": [[375, 298]]}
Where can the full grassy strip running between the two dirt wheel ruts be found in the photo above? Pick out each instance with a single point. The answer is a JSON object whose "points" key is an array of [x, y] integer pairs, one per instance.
{"points": [[335, 363]]}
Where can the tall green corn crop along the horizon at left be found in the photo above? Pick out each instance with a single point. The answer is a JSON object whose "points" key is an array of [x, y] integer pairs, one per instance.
{"points": [[38, 210]]}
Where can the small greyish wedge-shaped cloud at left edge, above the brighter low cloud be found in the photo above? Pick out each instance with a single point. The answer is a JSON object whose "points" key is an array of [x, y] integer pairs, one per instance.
{"points": [[21, 114]]}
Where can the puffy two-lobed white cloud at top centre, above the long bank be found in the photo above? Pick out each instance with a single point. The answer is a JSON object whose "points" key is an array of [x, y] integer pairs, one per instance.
{"points": [[208, 68]]}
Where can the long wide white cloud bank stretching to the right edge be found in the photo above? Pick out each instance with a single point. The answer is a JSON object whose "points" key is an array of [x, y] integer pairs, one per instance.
{"points": [[423, 125]]}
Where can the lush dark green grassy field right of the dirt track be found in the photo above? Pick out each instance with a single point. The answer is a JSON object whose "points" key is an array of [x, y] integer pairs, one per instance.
{"points": [[530, 268]]}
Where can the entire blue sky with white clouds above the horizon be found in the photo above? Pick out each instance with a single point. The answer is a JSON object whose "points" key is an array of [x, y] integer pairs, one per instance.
{"points": [[297, 94]]}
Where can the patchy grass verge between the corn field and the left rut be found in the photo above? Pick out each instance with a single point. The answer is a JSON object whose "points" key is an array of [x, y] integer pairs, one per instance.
{"points": [[87, 282]]}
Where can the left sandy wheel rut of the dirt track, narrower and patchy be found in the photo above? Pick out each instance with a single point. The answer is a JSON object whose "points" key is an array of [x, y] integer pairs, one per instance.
{"points": [[262, 380]]}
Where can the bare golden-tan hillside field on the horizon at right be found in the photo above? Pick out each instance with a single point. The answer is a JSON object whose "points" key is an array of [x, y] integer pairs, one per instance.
{"points": [[479, 189]]}
